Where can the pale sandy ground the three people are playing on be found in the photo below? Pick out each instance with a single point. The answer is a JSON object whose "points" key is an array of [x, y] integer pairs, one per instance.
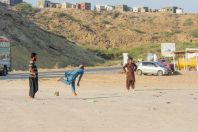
{"points": [[160, 104]]}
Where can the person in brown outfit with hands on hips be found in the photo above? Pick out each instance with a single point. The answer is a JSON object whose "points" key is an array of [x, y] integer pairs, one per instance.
{"points": [[130, 69]]}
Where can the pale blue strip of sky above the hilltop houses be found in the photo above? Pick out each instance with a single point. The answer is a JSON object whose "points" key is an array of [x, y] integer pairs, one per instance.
{"points": [[187, 5]]}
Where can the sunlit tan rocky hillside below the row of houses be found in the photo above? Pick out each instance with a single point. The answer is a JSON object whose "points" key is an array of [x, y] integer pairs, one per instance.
{"points": [[117, 30]]}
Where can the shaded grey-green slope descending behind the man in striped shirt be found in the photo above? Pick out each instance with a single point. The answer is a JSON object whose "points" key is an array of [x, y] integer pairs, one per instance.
{"points": [[26, 37]]}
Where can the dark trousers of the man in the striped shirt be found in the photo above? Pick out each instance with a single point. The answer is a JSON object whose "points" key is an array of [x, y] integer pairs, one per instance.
{"points": [[33, 82]]}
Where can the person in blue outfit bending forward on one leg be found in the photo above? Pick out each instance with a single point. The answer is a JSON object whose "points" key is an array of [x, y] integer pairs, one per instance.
{"points": [[71, 78]]}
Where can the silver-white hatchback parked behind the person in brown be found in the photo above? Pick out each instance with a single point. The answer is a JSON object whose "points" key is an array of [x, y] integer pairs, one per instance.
{"points": [[153, 68]]}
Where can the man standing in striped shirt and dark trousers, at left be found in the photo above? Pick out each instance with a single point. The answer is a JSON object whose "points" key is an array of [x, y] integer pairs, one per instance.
{"points": [[33, 76]]}
